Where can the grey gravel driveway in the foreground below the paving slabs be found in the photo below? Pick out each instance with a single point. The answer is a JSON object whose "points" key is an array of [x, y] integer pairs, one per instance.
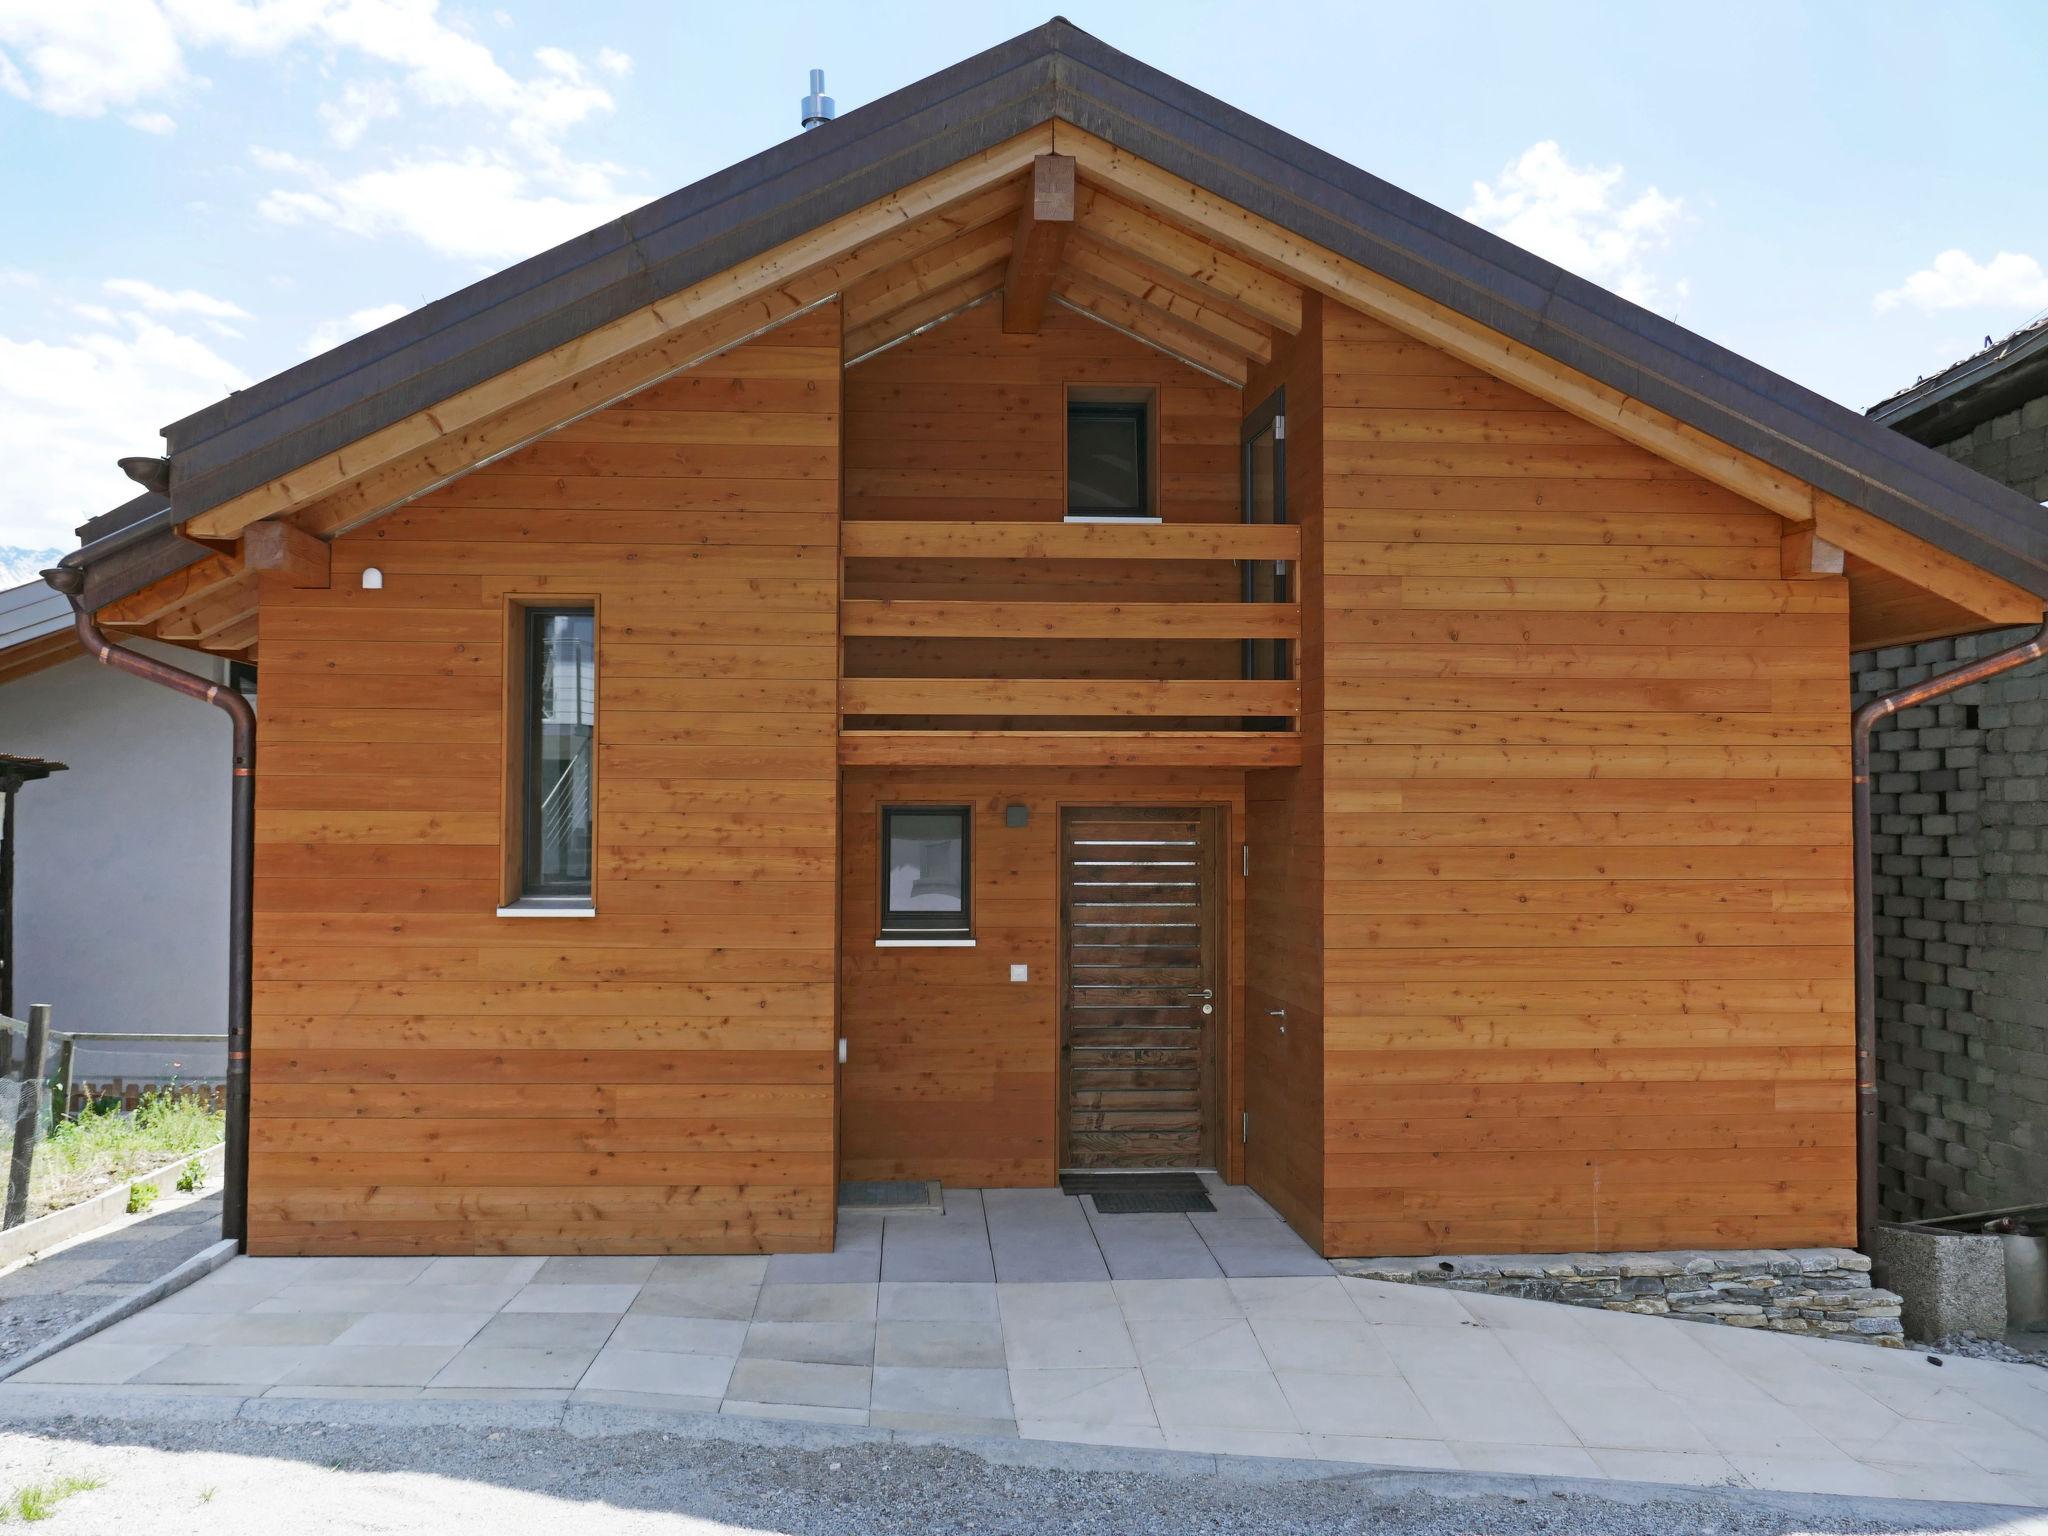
{"points": [[361, 1476]]}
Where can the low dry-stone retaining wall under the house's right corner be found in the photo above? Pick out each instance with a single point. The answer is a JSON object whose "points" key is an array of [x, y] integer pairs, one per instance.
{"points": [[1816, 1291]]}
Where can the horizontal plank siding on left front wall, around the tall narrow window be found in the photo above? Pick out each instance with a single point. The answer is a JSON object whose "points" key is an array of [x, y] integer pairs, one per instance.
{"points": [[431, 1078]]}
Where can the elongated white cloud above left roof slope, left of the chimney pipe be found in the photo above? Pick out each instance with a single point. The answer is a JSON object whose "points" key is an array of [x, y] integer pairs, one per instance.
{"points": [[476, 208]]}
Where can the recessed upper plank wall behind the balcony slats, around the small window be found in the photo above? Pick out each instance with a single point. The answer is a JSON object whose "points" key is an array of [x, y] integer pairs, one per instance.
{"points": [[970, 425]]}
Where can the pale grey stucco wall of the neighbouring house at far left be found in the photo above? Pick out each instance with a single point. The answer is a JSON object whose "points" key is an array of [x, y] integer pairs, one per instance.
{"points": [[122, 873]]}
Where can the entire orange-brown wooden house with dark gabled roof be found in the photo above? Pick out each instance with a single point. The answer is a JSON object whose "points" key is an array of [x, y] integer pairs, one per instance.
{"points": [[1140, 640]]}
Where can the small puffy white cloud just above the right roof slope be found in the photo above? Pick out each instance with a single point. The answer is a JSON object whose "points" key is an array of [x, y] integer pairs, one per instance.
{"points": [[1578, 218]]}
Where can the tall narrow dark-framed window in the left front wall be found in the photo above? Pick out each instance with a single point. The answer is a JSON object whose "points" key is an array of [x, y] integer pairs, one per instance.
{"points": [[558, 773]]}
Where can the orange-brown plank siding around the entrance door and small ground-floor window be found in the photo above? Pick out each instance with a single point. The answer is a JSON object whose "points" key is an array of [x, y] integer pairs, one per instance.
{"points": [[951, 1068]]}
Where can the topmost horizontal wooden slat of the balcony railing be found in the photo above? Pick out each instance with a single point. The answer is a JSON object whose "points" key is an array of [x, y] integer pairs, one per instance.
{"points": [[1070, 542]]}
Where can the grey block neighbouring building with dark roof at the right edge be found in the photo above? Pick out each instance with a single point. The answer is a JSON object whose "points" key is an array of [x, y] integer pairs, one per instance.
{"points": [[1963, 851]]}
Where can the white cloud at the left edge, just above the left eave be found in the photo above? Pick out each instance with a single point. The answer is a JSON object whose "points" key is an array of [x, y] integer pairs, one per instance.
{"points": [[71, 407]]}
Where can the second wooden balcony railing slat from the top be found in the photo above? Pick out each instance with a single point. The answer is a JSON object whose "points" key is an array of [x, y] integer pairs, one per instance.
{"points": [[1072, 620]]}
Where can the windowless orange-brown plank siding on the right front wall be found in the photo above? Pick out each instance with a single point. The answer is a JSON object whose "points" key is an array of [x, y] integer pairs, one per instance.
{"points": [[1584, 835]]}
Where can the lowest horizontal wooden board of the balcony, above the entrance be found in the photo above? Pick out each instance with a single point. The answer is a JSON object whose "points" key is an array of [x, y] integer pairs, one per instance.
{"points": [[1074, 749]]}
